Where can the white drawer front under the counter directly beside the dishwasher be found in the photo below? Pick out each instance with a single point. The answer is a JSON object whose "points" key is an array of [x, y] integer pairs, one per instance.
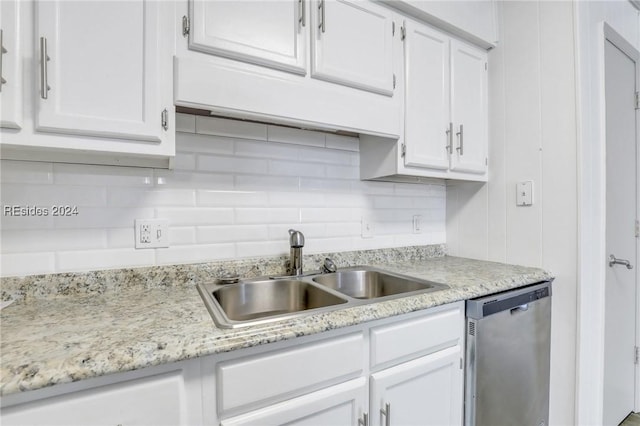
{"points": [[409, 339]]}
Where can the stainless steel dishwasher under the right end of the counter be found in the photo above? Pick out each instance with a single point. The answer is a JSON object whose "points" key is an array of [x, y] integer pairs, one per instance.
{"points": [[507, 374]]}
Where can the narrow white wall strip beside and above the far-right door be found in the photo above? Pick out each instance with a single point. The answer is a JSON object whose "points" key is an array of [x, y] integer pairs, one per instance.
{"points": [[623, 17]]}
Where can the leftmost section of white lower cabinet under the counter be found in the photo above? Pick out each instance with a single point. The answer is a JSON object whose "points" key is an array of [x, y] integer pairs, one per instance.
{"points": [[166, 395]]}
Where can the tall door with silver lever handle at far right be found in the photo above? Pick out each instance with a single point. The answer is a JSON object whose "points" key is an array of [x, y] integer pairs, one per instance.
{"points": [[620, 286]]}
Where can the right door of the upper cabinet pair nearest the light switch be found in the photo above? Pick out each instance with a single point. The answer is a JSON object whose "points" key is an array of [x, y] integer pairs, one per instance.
{"points": [[469, 108]]}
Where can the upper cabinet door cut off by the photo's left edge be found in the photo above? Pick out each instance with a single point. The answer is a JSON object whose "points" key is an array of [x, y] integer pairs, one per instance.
{"points": [[10, 66]]}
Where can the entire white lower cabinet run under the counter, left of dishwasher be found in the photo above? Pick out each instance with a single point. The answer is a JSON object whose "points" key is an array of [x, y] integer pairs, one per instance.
{"points": [[405, 370]]}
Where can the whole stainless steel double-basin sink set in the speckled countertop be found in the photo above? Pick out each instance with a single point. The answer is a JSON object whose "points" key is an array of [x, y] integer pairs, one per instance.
{"points": [[264, 300]]}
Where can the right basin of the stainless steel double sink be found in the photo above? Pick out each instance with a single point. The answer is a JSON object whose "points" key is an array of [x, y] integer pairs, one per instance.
{"points": [[371, 283]]}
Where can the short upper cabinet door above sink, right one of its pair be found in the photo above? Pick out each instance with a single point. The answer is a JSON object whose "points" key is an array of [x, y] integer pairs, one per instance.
{"points": [[352, 44]]}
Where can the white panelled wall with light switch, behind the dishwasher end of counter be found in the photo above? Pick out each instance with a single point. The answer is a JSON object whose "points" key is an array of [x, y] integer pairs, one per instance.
{"points": [[532, 137]]}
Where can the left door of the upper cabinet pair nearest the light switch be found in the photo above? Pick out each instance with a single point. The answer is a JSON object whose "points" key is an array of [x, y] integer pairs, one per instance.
{"points": [[426, 97]]}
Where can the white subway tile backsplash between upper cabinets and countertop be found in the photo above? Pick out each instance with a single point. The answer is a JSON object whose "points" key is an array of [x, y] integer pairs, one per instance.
{"points": [[236, 189]]}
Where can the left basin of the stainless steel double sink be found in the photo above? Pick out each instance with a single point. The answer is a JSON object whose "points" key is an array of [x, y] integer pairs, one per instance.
{"points": [[264, 300]]}
